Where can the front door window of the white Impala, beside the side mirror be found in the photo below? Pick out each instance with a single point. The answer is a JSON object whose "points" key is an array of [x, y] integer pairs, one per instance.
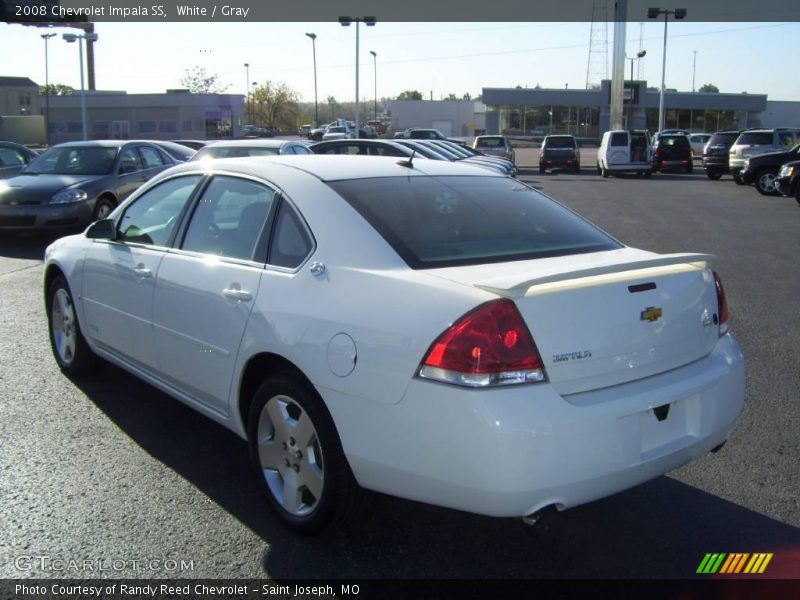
{"points": [[151, 218]]}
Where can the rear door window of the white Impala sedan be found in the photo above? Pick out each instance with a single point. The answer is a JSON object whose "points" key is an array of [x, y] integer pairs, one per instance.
{"points": [[229, 218]]}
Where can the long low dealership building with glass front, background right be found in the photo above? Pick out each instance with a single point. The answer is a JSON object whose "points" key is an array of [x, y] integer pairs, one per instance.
{"points": [[586, 113]]}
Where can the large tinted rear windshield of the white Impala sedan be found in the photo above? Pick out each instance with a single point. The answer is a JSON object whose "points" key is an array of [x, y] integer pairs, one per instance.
{"points": [[452, 221]]}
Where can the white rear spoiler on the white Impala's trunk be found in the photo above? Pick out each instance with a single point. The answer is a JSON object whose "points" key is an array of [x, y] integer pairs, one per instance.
{"points": [[512, 287]]}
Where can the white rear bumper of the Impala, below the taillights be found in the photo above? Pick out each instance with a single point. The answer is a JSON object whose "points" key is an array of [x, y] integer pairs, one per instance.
{"points": [[511, 452]]}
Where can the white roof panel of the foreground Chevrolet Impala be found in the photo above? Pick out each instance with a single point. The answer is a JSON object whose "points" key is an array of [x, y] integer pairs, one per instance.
{"points": [[335, 167]]}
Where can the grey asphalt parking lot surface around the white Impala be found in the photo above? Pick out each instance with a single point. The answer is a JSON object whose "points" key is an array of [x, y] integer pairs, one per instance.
{"points": [[110, 469]]}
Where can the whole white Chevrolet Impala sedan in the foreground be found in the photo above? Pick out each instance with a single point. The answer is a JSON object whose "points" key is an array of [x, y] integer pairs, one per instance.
{"points": [[420, 328]]}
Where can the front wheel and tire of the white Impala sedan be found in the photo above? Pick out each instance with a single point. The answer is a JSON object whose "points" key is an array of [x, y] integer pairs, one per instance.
{"points": [[72, 353]]}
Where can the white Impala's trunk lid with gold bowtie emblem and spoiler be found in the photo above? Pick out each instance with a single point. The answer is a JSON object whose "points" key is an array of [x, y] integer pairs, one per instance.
{"points": [[607, 318]]}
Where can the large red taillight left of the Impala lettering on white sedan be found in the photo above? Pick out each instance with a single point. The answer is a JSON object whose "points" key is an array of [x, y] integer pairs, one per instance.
{"points": [[490, 345]]}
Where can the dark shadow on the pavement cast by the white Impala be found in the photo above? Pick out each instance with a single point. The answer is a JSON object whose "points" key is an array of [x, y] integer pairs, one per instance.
{"points": [[661, 529]]}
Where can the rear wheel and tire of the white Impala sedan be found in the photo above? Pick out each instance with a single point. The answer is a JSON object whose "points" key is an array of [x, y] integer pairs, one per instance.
{"points": [[319, 458]]}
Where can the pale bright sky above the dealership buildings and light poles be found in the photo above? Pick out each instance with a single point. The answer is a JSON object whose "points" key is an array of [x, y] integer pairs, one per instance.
{"points": [[437, 58]]}
